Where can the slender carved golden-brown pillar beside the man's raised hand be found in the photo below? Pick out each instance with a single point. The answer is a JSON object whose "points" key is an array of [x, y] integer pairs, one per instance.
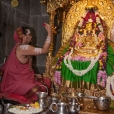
{"points": [[52, 8]]}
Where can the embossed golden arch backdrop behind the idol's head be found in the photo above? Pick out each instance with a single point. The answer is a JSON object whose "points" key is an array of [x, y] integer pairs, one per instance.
{"points": [[78, 9]]}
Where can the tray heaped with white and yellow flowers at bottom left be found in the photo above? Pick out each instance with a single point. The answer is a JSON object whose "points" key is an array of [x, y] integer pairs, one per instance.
{"points": [[32, 108]]}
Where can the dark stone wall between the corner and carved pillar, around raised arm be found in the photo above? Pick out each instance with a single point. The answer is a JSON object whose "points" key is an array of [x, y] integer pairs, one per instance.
{"points": [[38, 16]]}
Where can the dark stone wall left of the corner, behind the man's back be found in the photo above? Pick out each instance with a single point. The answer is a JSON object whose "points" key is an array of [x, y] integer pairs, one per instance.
{"points": [[11, 18]]}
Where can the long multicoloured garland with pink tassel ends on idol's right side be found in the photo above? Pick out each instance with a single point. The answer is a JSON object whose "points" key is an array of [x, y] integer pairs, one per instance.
{"points": [[102, 61]]}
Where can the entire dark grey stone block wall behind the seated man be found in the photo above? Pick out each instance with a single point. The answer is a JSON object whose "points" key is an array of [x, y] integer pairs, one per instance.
{"points": [[27, 13]]}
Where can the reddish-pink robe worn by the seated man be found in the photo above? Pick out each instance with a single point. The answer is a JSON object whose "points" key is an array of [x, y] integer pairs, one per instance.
{"points": [[18, 79]]}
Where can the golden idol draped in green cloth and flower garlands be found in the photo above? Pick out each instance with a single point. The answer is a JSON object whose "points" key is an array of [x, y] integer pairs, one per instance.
{"points": [[86, 61]]}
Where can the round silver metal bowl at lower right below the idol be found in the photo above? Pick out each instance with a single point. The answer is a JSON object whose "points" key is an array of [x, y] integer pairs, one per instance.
{"points": [[102, 103]]}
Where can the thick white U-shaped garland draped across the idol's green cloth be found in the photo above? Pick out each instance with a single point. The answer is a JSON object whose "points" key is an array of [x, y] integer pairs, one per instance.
{"points": [[80, 72]]}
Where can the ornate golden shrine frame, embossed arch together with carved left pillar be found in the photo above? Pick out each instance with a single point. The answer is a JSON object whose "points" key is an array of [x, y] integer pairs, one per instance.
{"points": [[61, 8]]}
